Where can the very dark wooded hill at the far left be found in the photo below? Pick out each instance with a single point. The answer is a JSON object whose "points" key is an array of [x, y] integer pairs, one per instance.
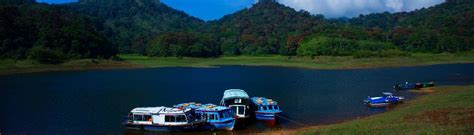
{"points": [[49, 34]]}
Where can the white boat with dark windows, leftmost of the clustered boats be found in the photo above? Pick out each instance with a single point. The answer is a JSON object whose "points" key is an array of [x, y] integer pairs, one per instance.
{"points": [[162, 119]]}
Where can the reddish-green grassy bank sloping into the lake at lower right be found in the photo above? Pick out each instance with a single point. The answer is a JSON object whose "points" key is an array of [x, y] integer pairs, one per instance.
{"points": [[447, 110]]}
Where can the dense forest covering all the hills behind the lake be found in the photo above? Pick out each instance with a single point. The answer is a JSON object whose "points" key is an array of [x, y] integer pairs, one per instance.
{"points": [[103, 28]]}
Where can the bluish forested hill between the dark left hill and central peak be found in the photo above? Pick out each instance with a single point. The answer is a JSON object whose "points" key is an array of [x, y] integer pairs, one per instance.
{"points": [[131, 24]]}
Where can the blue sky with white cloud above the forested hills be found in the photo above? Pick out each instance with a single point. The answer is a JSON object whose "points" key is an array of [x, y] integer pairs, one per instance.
{"points": [[215, 9]]}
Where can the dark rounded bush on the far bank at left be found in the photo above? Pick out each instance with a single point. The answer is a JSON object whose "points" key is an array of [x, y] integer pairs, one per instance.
{"points": [[46, 55]]}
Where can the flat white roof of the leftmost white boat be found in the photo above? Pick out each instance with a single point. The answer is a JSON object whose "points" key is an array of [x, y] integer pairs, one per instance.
{"points": [[156, 110]]}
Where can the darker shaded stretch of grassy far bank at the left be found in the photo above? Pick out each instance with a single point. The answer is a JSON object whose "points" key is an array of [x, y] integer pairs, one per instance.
{"points": [[29, 66]]}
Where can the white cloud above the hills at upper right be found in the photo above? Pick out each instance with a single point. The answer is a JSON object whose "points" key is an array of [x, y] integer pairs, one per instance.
{"points": [[352, 8]]}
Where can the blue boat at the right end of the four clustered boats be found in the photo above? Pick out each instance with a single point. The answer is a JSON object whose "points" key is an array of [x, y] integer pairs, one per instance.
{"points": [[265, 109]]}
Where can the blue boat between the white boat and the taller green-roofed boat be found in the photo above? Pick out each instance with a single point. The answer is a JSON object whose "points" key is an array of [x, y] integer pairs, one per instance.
{"points": [[216, 117]]}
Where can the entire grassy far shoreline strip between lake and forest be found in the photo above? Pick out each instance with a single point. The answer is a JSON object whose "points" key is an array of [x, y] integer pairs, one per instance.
{"points": [[322, 62]]}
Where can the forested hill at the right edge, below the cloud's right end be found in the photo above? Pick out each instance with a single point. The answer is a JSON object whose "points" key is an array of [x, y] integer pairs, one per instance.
{"points": [[446, 27]]}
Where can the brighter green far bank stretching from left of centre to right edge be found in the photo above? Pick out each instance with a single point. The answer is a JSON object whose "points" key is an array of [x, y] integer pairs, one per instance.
{"points": [[323, 62]]}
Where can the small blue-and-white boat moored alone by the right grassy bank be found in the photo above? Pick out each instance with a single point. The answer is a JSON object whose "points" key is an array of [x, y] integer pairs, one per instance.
{"points": [[383, 101]]}
